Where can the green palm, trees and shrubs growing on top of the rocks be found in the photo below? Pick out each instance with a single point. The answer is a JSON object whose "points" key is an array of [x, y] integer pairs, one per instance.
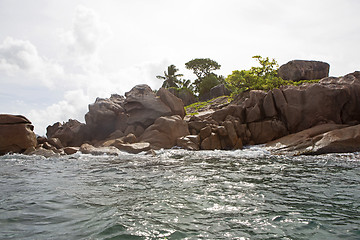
{"points": [[262, 77]]}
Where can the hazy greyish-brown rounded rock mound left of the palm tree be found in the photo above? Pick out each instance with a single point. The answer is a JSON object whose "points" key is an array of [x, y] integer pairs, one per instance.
{"points": [[117, 116]]}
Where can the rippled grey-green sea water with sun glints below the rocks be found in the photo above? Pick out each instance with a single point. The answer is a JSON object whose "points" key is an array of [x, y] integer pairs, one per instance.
{"points": [[247, 194]]}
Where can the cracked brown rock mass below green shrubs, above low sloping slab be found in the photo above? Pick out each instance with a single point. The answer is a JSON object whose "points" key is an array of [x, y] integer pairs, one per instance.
{"points": [[266, 116]]}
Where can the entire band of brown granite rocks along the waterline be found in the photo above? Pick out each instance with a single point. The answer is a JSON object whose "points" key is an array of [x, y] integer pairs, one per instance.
{"points": [[315, 118]]}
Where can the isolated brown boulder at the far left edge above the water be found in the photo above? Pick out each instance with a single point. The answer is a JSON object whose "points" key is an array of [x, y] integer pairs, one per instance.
{"points": [[16, 134]]}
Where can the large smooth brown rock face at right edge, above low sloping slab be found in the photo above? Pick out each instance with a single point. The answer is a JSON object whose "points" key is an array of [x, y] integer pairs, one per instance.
{"points": [[332, 100]]}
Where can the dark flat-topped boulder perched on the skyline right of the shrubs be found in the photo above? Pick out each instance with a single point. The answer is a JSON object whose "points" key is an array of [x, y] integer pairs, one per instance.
{"points": [[297, 70]]}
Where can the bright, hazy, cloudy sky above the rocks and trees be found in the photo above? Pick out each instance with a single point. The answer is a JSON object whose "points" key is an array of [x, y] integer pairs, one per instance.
{"points": [[57, 57]]}
